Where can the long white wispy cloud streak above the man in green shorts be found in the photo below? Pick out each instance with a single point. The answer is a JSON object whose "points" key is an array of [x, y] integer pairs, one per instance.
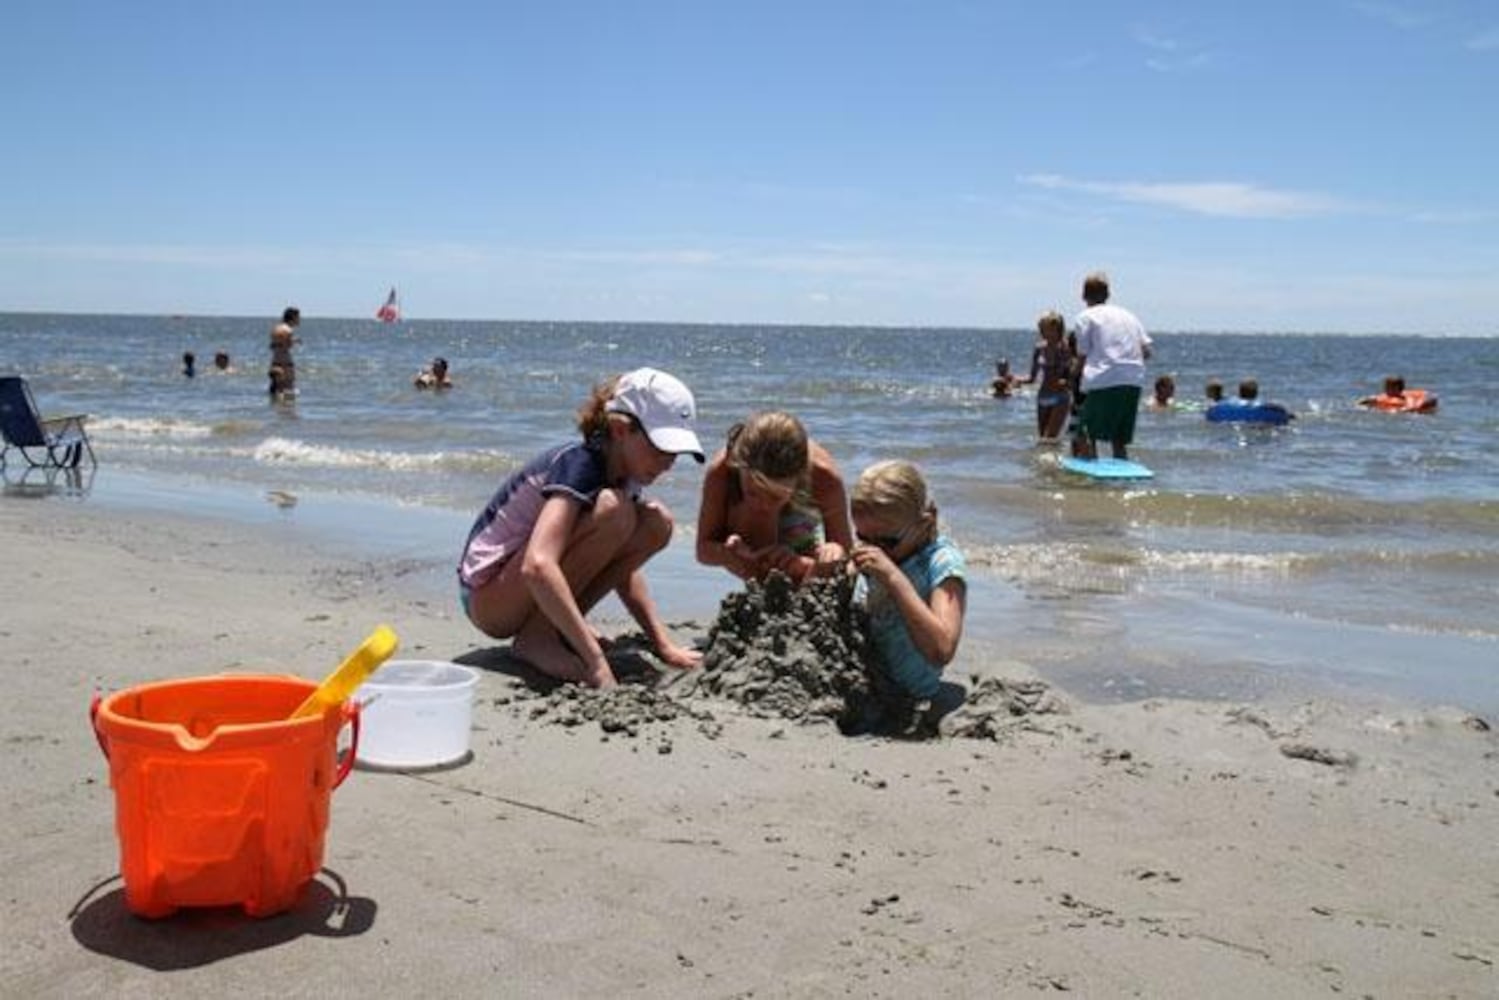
{"points": [[1206, 199]]}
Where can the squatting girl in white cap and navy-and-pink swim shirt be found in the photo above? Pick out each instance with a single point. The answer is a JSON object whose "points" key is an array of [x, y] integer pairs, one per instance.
{"points": [[573, 525]]}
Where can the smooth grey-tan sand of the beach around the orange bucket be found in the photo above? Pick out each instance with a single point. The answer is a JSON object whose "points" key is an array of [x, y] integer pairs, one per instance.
{"points": [[1152, 849]]}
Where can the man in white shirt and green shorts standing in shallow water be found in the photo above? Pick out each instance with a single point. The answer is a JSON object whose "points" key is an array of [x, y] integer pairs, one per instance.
{"points": [[1113, 349]]}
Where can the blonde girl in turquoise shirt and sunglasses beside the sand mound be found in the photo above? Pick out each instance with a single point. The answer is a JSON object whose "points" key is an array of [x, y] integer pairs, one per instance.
{"points": [[918, 591]]}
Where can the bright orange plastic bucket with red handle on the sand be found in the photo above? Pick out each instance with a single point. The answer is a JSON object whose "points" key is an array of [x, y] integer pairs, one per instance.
{"points": [[221, 800]]}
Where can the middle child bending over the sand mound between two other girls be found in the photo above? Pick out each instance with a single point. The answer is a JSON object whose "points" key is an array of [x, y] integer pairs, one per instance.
{"points": [[773, 500]]}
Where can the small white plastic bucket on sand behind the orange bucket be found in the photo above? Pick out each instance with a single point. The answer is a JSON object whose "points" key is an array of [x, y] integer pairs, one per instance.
{"points": [[417, 714]]}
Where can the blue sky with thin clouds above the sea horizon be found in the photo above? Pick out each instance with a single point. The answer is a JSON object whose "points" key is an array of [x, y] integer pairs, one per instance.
{"points": [[1294, 166]]}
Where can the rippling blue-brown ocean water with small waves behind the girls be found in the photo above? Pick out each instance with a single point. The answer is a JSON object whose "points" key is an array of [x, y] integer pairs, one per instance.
{"points": [[1353, 548]]}
